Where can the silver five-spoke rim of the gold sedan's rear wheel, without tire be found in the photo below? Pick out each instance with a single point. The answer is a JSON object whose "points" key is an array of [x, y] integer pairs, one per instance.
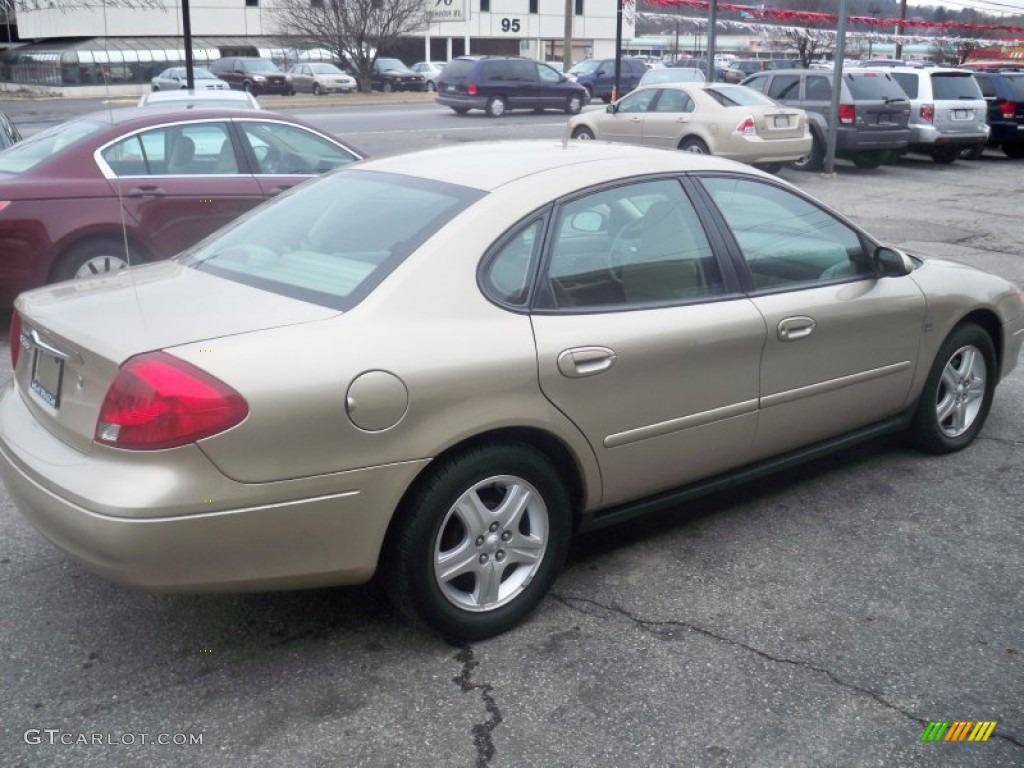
{"points": [[492, 543]]}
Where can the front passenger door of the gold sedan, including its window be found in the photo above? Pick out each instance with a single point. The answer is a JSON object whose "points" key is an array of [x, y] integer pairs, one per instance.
{"points": [[842, 344]]}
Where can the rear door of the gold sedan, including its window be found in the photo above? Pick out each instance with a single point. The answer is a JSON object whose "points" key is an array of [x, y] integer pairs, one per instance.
{"points": [[643, 340]]}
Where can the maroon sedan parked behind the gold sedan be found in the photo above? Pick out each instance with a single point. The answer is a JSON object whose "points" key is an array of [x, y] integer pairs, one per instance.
{"points": [[121, 187]]}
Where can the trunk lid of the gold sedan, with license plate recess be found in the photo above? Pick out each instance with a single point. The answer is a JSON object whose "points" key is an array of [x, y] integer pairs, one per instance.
{"points": [[75, 336]]}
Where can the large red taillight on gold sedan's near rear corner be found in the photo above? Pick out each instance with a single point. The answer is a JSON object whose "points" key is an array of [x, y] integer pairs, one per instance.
{"points": [[160, 402]]}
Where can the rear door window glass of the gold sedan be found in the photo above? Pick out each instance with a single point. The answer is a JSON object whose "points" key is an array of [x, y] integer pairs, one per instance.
{"points": [[630, 246]]}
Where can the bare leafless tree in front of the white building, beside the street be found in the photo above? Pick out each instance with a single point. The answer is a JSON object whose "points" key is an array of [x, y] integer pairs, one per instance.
{"points": [[353, 30]]}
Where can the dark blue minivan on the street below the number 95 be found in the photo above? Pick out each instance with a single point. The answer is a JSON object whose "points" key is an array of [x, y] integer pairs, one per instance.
{"points": [[497, 84]]}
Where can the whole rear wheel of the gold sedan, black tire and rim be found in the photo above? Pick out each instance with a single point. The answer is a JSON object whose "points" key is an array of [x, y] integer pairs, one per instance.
{"points": [[478, 544]]}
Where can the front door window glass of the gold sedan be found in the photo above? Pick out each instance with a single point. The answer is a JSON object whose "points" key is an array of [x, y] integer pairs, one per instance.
{"points": [[787, 241]]}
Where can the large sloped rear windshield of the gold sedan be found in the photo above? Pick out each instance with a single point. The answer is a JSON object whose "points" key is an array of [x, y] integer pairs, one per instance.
{"points": [[332, 241]]}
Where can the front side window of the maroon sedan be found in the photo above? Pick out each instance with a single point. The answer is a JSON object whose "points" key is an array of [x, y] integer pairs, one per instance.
{"points": [[282, 149]]}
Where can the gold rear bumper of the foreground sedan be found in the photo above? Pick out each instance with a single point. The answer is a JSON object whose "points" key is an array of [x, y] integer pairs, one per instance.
{"points": [[176, 524]]}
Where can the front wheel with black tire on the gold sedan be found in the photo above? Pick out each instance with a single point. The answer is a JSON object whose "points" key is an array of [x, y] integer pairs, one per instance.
{"points": [[959, 392]]}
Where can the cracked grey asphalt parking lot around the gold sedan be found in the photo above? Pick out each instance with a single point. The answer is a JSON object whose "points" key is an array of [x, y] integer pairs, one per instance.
{"points": [[825, 617]]}
